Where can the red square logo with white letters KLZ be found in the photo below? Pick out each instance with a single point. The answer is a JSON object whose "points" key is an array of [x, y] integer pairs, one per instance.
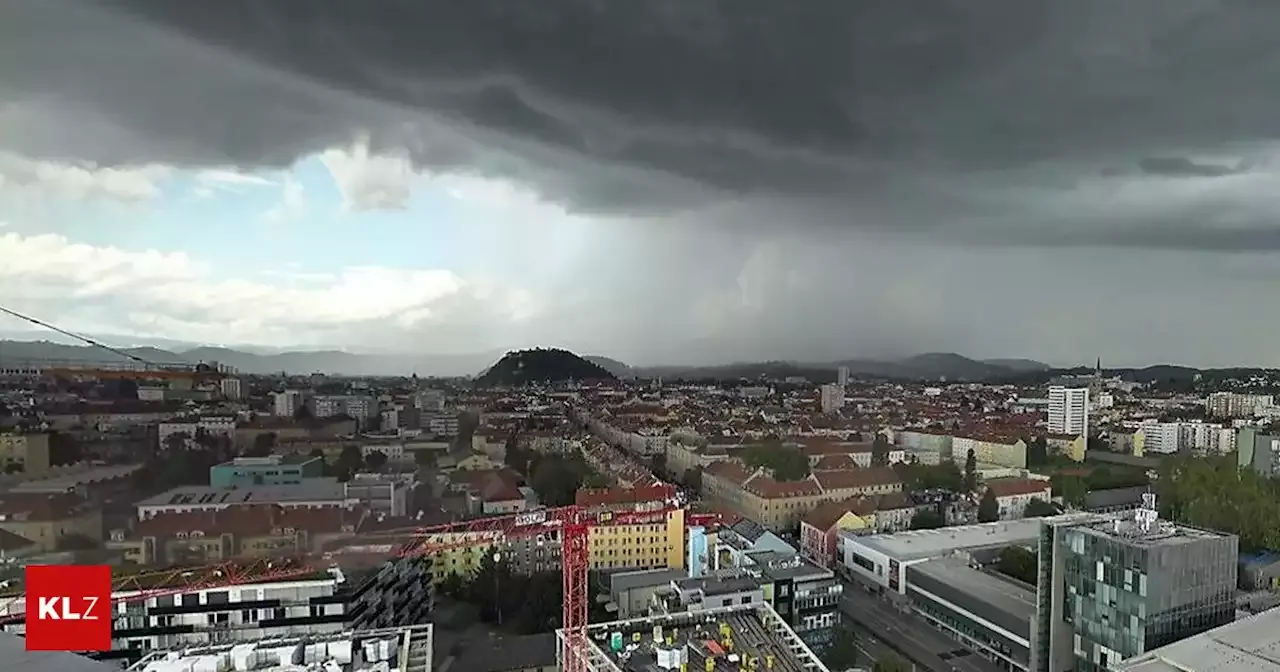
{"points": [[68, 609]]}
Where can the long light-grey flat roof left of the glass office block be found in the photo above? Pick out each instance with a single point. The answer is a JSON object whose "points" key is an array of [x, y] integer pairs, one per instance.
{"points": [[920, 545]]}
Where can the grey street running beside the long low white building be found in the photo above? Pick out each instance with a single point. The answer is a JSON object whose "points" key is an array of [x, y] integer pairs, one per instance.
{"points": [[909, 636]]}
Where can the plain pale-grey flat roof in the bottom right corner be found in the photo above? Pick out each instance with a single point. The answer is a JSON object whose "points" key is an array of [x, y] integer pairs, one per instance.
{"points": [[1249, 646]]}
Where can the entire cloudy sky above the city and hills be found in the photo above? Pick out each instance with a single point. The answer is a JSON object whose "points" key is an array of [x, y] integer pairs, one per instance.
{"points": [[660, 185]]}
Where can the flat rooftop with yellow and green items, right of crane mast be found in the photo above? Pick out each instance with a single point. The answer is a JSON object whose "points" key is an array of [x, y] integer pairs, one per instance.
{"points": [[757, 632]]}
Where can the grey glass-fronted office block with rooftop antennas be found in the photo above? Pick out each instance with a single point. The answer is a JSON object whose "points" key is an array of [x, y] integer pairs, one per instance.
{"points": [[1114, 587]]}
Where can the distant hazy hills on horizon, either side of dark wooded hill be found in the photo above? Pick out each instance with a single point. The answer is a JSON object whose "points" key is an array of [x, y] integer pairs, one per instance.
{"points": [[930, 367]]}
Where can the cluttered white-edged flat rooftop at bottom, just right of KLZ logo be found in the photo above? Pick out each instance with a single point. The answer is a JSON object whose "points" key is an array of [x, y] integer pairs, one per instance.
{"points": [[404, 650]]}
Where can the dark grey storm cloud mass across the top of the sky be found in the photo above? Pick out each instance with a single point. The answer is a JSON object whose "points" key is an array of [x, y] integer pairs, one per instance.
{"points": [[860, 113]]}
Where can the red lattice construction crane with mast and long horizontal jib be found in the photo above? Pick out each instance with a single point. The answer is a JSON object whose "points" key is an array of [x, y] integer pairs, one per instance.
{"points": [[573, 524]]}
